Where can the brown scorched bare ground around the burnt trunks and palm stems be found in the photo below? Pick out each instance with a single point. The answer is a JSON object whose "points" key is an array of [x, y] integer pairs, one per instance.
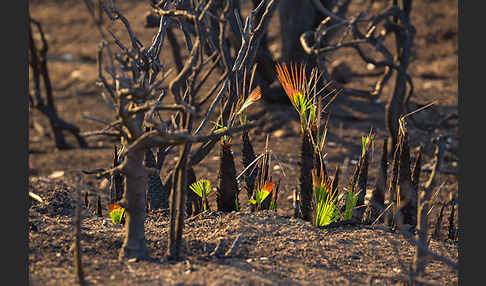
{"points": [[276, 248]]}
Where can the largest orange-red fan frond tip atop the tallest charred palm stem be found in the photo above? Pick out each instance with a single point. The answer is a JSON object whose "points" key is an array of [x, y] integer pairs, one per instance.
{"points": [[292, 82]]}
